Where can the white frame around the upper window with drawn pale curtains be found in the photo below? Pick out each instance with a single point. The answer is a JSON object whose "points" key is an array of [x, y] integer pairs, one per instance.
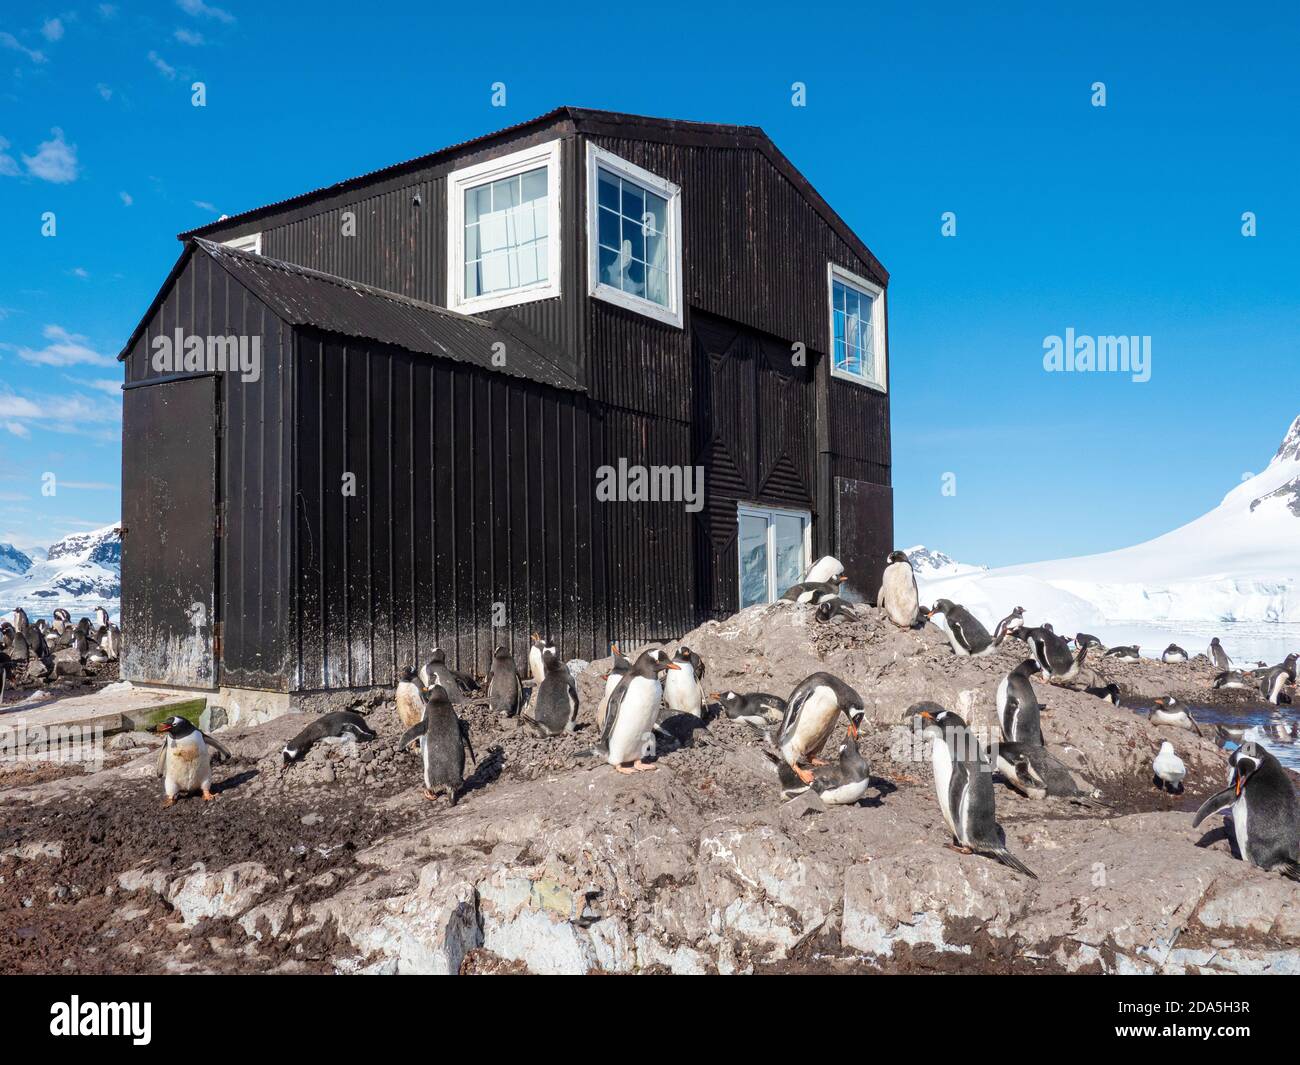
{"points": [[483, 174]]}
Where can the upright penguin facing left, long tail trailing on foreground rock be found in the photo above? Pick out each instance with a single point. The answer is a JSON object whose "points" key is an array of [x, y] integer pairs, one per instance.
{"points": [[964, 783]]}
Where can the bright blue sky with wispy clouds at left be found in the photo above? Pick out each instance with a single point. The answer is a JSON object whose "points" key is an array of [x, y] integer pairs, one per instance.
{"points": [[1117, 220]]}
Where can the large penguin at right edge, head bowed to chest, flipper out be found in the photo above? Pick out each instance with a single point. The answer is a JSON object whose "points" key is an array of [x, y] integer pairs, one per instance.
{"points": [[1266, 813]]}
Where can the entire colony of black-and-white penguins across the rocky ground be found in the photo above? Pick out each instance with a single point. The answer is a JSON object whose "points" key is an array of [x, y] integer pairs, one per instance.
{"points": [[644, 692]]}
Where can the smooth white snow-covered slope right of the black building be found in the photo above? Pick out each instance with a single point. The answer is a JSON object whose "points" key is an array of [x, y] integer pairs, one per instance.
{"points": [[1241, 562]]}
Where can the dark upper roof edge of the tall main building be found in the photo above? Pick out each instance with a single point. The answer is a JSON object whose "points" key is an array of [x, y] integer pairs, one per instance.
{"points": [[590, 122]]}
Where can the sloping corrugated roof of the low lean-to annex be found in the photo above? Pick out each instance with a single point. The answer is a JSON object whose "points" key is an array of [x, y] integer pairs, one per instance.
{"points": [[309, 298]]}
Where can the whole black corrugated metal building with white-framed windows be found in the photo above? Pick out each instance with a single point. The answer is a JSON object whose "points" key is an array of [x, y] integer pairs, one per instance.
{"points": [[453, 354]]}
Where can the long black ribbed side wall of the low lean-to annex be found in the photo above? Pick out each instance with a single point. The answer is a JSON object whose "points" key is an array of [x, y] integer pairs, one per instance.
{"points": [[473, 490]]}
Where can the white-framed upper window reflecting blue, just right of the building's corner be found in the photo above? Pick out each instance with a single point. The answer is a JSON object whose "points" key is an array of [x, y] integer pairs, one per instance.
{"points": [[634, 237]]}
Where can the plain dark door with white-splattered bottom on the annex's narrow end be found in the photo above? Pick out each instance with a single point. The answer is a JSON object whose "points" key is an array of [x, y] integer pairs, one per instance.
{"points": [[170, 560]]}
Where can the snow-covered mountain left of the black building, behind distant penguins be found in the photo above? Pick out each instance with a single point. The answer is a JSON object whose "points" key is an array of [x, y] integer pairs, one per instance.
{"points": [[79, 573]]}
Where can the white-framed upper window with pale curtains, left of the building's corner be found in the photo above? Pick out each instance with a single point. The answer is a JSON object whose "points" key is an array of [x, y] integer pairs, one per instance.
{"points": [[504, 226]]}
